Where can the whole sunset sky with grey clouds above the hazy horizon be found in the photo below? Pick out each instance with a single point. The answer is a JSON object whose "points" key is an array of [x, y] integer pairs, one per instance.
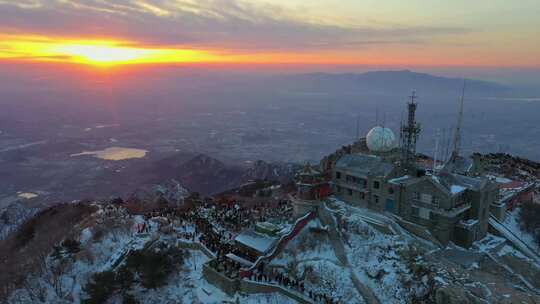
{"points": [[463, 33]]}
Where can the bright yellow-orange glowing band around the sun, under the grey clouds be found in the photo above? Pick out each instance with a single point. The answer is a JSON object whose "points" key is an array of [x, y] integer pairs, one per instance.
{"points": [[108, 52]]}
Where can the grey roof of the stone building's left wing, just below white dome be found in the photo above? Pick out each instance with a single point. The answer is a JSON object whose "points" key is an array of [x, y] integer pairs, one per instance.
{"points": [[364, 165]]}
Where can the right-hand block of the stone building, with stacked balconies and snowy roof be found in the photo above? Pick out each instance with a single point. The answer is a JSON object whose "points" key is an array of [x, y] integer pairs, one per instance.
{"points": [[453, 207]]}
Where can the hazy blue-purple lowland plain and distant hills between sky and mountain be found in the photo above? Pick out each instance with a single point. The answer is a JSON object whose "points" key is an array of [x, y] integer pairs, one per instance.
{"points": [[53, 128]]}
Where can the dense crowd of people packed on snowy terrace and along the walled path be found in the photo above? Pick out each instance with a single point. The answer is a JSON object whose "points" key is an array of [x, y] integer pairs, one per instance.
{"points": [[214, 225]]}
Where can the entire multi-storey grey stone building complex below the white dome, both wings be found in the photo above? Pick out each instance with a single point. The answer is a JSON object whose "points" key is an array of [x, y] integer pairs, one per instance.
{"points": [[452, 206]]}
